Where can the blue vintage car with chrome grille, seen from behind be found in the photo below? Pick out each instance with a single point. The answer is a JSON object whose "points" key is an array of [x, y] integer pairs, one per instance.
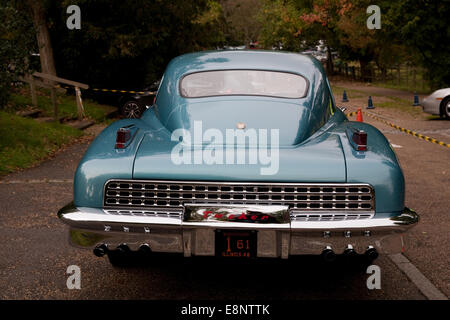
{"points": [[244, 154]]}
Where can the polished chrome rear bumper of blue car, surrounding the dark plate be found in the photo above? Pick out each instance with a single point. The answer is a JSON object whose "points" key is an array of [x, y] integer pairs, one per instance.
{"points": [[91, 226]]}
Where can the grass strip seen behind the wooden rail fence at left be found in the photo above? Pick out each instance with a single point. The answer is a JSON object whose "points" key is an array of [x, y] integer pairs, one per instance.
{"points": [[21, 99]]}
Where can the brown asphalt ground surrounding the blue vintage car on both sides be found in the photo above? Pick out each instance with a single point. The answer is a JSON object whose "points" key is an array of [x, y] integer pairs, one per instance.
{"points": [[36, 253]]}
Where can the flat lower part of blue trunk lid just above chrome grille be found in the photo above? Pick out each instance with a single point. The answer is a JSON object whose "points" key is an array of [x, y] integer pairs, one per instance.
{"points": [[320, 159]]}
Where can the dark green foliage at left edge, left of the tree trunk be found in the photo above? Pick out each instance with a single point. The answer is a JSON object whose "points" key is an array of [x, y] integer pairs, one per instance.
{"points": [[17, 43]]}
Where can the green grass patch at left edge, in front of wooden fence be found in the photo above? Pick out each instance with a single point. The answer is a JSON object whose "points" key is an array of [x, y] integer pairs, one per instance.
{"points": [[25, 142]]}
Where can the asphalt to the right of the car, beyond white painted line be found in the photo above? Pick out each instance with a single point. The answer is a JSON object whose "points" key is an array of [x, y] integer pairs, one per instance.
{"points": [[427, 175]]}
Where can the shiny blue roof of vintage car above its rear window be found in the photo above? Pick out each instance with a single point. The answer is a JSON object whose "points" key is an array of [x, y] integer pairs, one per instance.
{"points": [[244, 59]]}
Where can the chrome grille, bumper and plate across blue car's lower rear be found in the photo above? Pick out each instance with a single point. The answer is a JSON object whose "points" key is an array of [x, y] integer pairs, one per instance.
{"points": [[238, 219]]}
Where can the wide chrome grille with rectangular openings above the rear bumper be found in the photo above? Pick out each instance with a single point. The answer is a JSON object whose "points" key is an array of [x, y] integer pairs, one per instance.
{"points": [[298, 196]]}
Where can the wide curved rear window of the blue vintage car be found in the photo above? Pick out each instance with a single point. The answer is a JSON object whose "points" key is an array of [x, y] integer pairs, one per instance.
{"points": [[243, 82]]}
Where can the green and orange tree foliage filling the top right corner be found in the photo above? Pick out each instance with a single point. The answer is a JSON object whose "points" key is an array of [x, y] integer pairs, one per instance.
{"points": [[413, 31]]}
